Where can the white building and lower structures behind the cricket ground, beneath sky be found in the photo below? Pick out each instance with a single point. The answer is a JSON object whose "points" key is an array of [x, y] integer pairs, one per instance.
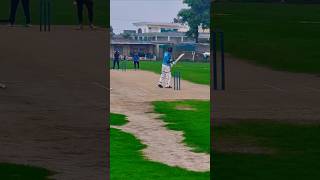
{"points": [[150, 39]]}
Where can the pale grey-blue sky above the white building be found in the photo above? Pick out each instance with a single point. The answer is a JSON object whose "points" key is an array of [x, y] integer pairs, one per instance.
{"points": [[125, 12]]}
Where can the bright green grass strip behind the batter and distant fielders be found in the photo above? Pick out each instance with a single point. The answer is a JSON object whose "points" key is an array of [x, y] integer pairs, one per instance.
{"points": [[193, 72]]}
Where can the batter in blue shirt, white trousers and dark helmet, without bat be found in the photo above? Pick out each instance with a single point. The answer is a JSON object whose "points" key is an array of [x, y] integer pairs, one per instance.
{"points": [[165, 77]]}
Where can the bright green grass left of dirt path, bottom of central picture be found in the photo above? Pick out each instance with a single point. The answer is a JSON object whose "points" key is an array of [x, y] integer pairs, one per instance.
{"points": [[127, 162]]}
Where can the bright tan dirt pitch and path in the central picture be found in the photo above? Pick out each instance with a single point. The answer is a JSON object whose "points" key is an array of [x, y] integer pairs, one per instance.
{"points": [[132, 94]]}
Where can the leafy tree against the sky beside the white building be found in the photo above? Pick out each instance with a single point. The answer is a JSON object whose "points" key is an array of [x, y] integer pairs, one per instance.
{"points": [[197, 15]]}
